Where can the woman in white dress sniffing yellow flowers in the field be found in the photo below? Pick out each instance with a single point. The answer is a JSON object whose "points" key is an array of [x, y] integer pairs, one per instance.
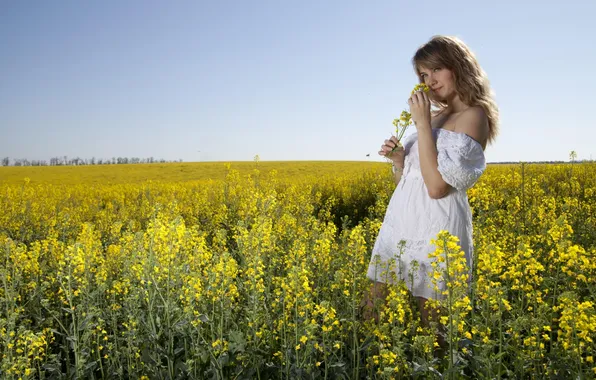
{"points": [[434, 167]]}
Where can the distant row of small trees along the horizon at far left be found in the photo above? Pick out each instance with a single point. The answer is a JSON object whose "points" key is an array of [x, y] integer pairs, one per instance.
{"points": [[64, 161]]}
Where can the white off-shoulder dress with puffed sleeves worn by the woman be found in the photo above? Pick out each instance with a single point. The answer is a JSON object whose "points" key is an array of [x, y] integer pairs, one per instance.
{"points": [[413, 218]]}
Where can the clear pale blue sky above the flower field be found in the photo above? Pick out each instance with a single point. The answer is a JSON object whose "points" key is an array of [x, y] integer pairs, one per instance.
{"points": [[287, 80]]}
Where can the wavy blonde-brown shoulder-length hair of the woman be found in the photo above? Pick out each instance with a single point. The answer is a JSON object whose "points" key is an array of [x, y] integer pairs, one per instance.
{"points": [[471, 82]]}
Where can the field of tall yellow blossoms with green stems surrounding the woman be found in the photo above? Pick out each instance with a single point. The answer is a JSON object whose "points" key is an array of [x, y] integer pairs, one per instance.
{"points": [[261, 276]]}
